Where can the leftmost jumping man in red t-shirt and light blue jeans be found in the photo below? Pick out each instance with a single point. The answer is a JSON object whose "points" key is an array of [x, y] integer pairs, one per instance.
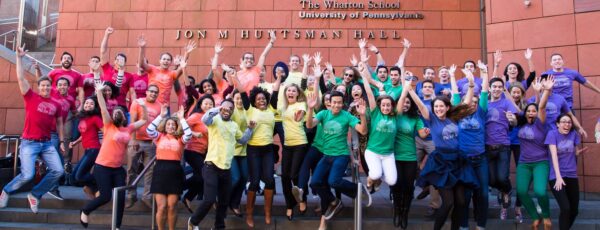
{"points": [[40, 109]]}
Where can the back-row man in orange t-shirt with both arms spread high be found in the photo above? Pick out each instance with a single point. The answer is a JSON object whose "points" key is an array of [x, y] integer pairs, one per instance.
{"points": [[161, 75]]}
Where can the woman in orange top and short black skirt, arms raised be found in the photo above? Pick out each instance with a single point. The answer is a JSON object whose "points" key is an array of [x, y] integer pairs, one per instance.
{"points": [[170, 136]]}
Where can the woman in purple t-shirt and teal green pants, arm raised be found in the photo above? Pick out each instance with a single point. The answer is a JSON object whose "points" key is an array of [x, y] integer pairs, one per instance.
{"points": [[533, 162]]}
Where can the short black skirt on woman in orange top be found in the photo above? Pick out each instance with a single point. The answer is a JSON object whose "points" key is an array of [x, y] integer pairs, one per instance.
{"points": [[167, 177]]}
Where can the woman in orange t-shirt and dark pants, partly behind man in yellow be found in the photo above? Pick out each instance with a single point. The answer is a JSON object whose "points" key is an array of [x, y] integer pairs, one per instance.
{"points": [[195, 150]]}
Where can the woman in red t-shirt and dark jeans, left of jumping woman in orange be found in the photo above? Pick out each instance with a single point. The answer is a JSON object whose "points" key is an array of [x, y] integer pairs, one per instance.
{"points": [[90, 126]]}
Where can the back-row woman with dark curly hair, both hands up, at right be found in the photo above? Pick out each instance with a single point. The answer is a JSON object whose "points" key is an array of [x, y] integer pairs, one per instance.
{"points": [[513, 72]]}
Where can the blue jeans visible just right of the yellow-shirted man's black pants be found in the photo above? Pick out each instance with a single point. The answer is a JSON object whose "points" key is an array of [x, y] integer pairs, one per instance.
{"points": [[239, 177]]}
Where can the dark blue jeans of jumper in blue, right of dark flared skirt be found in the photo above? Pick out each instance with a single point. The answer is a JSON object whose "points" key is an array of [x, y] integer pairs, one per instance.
{"points": [[480, 195]]}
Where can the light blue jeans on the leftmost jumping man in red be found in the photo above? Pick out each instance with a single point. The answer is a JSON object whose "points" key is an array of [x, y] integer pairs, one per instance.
{"points": [[29, 152]]}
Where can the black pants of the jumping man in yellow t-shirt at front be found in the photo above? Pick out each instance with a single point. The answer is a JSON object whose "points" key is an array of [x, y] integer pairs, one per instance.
{"points": [[217, 185]]}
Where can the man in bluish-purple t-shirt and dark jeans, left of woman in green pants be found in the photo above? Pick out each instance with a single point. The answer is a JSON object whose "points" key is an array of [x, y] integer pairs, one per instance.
{"points": [[500, 115]]}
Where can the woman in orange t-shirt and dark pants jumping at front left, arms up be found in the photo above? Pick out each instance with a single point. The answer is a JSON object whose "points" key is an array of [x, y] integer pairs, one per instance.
{"points": [[108, 170]]}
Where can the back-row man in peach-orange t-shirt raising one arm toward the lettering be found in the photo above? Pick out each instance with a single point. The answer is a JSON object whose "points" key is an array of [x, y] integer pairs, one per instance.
{"points": [[249, 74]]}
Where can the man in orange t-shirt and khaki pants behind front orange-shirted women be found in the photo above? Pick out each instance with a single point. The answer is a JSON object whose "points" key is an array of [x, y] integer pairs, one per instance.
{"points": [[141, 145]]}
